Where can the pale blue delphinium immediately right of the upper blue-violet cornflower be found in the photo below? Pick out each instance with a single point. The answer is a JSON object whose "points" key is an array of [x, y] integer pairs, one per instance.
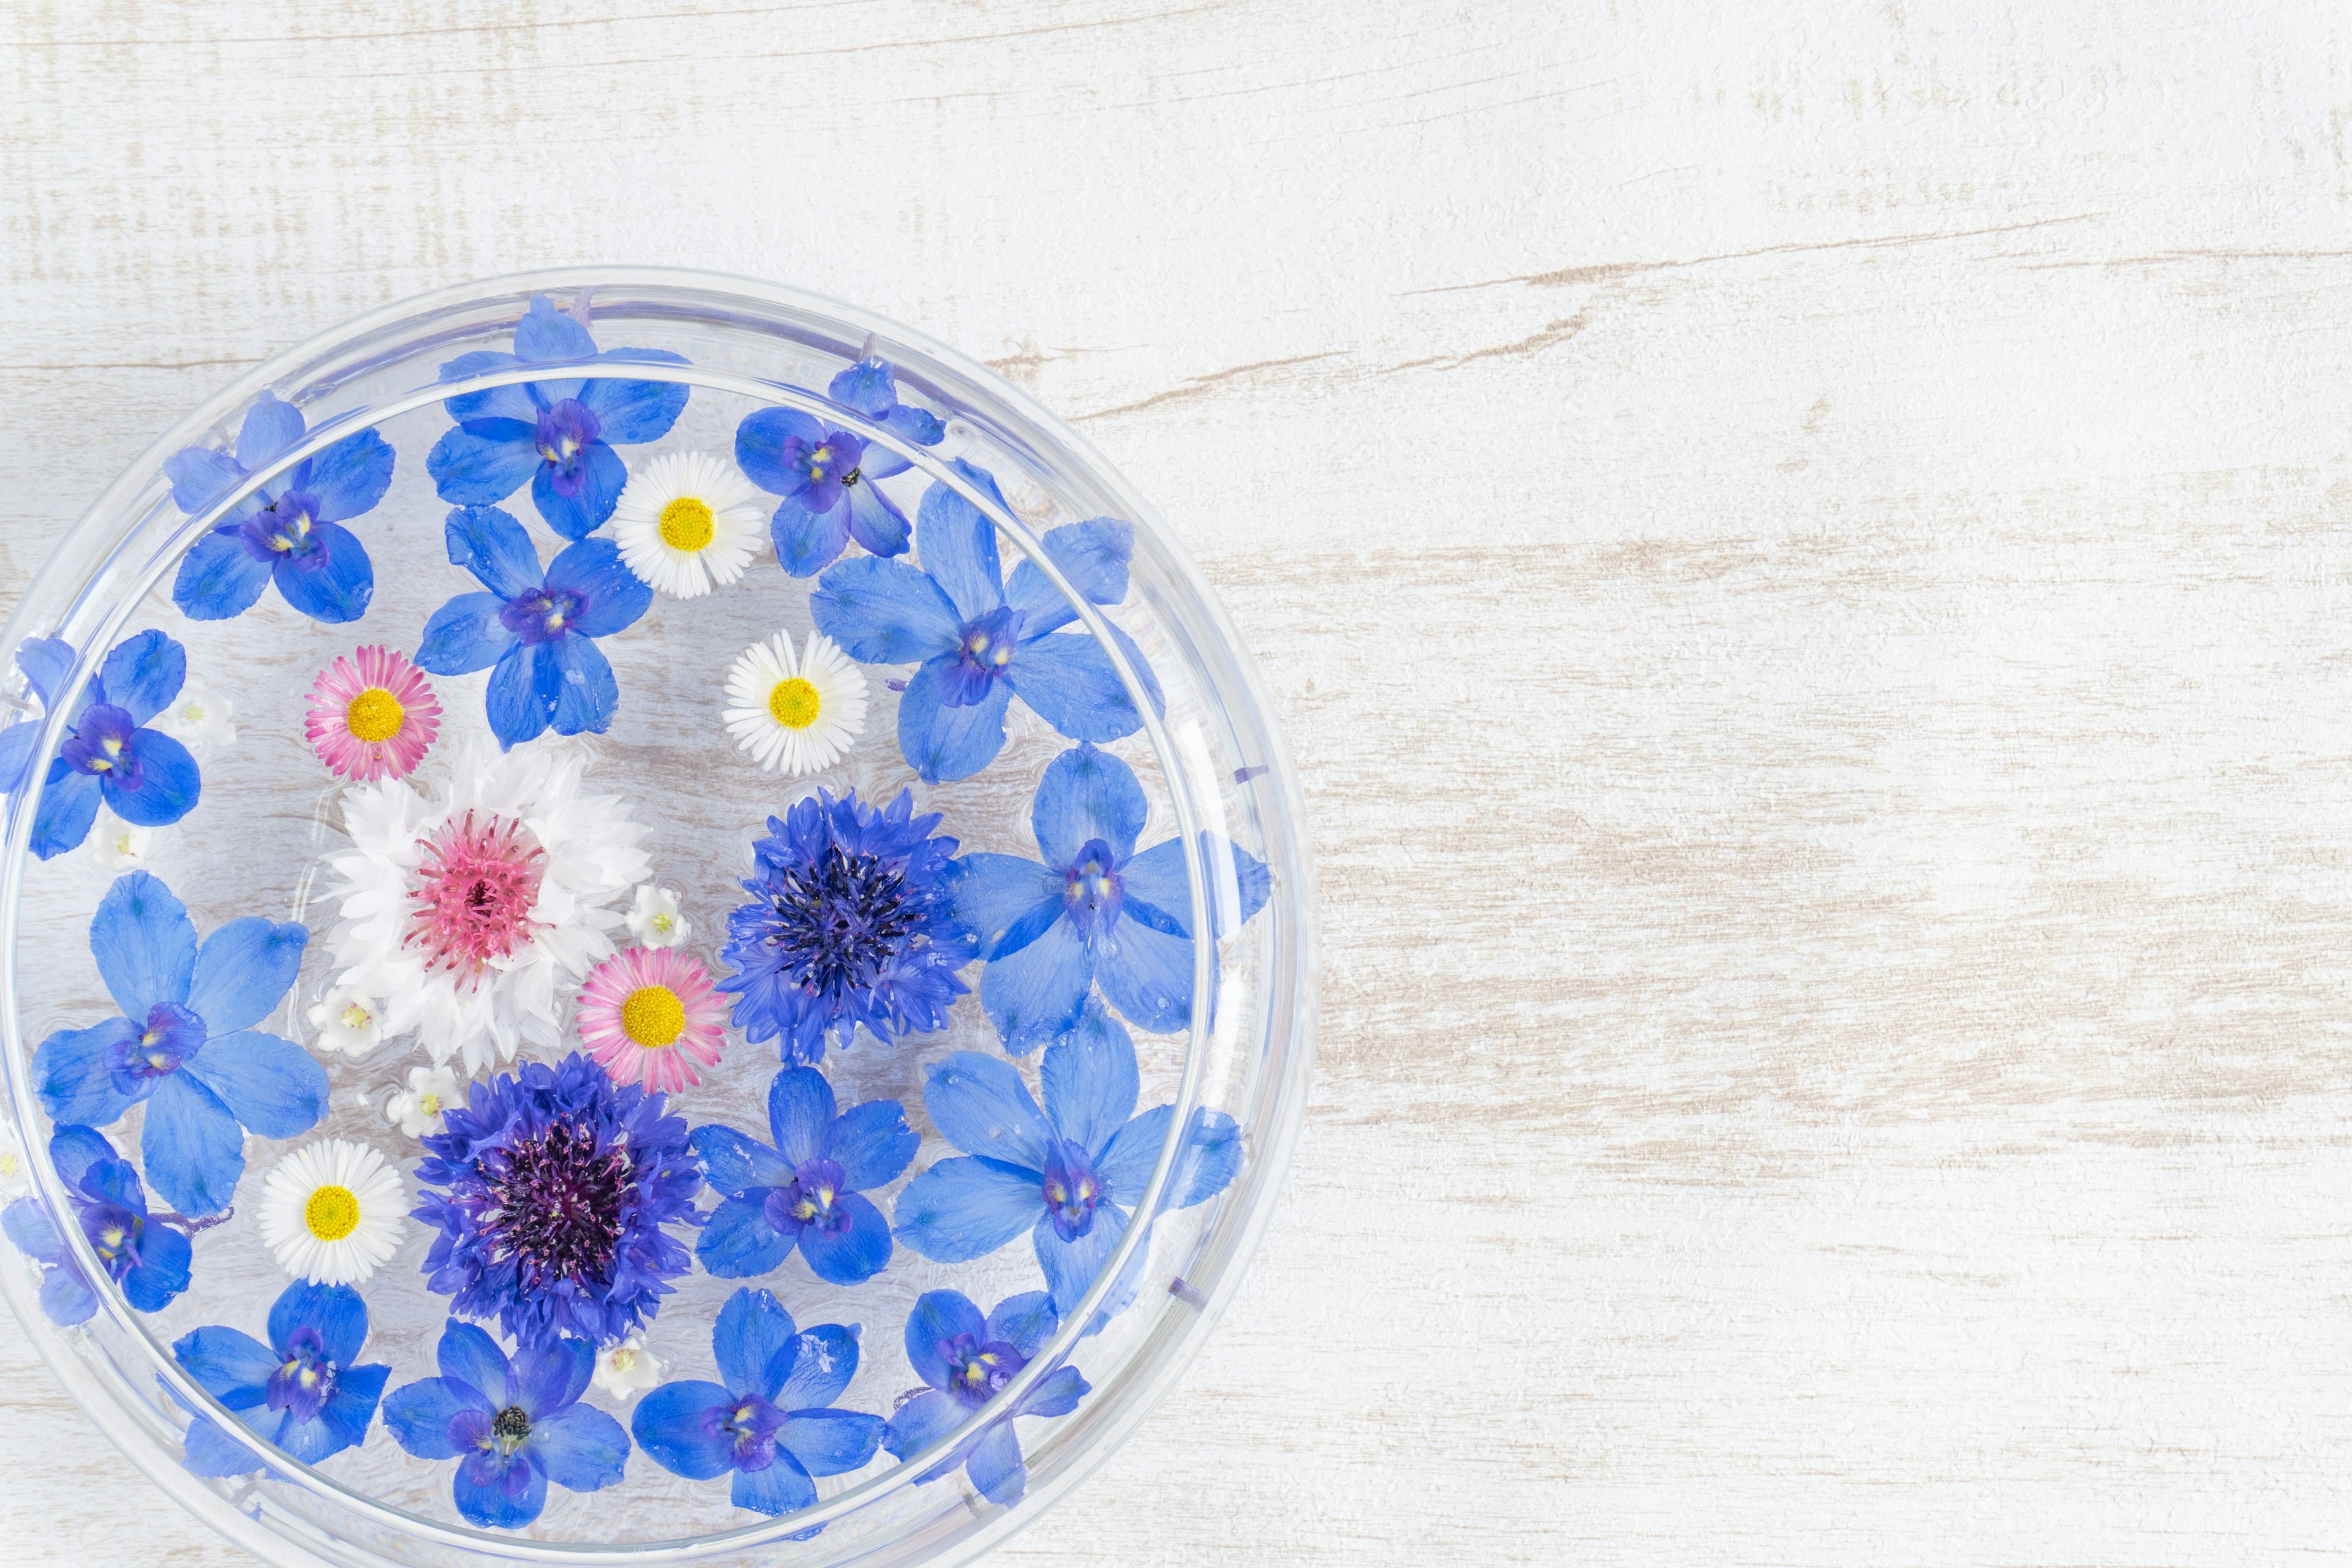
{"points": [[1093, 911]]}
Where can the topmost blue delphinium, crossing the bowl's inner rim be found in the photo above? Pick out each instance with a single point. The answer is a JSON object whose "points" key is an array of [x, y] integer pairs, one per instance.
{"points": [[554, 434]]}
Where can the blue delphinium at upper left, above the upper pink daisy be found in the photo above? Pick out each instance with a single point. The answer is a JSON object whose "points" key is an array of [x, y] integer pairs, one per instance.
{"points": [[288, 532]]}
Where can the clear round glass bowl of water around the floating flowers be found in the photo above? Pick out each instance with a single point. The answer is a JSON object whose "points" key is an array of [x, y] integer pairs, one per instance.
{"points": [[269, 815]]}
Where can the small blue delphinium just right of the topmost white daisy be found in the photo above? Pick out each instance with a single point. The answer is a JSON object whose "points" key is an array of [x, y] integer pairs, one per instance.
{"points": [[827, 476]]}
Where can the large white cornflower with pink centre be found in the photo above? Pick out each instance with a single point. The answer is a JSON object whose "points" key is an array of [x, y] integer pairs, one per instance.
{"points": [[476, 913]]}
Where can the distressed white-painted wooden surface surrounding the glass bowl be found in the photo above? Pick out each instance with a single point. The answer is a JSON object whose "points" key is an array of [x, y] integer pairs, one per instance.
{"points": [[1805, 558]]}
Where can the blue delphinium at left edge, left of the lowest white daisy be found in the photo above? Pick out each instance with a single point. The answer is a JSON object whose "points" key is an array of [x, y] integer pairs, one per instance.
{"points": [[140, 1252]]}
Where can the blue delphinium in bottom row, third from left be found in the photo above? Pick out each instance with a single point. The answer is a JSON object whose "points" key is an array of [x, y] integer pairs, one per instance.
{"points": [[770, 1421]]}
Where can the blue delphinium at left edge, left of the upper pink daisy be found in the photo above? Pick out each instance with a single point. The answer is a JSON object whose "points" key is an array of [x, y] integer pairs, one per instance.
{"points": [[145, 775]]}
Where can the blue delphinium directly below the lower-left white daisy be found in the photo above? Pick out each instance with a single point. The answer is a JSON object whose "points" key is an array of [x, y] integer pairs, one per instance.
{"points": [[302, 1393]]}
